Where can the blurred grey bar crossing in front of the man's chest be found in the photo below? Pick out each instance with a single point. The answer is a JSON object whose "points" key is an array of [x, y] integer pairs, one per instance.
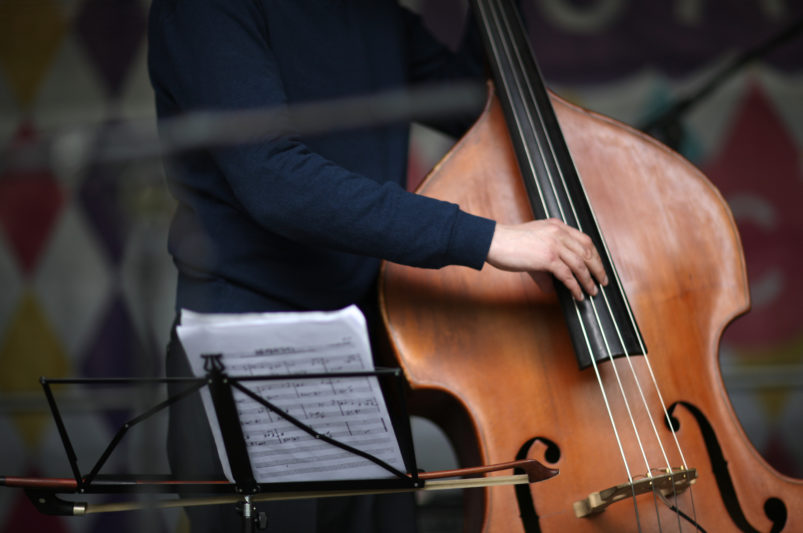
{"points": [[138, 139]]}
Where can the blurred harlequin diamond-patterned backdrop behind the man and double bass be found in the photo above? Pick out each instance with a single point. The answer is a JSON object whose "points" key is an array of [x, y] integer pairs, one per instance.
{"points": [[86, 285]]}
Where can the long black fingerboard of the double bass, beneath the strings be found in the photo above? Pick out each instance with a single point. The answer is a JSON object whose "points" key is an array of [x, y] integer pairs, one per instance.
{"points": [[602, 326]]}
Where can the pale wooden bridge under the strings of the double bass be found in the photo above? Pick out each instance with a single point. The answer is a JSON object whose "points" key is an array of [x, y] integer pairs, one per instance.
{"points": [[667, 485]]}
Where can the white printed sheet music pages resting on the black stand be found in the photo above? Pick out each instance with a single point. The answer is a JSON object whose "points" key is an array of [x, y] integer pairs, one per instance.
{"points": [[350, 410]]}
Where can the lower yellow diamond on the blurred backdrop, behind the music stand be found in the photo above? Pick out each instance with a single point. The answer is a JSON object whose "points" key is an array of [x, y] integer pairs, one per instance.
{"points": [[29, 350]]}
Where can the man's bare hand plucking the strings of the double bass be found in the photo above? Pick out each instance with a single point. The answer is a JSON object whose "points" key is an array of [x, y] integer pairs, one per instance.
{"points": [[549, 246]]}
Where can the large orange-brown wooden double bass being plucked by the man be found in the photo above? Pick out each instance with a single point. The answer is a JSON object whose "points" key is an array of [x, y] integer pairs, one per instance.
{"points": [[621, 392]]}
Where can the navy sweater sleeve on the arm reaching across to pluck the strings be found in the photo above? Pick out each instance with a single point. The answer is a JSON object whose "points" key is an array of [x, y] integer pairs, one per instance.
{"points": [[216, 56]]}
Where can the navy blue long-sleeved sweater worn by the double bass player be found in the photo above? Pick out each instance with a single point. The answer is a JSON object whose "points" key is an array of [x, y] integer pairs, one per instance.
{"points": [[298, 223]]}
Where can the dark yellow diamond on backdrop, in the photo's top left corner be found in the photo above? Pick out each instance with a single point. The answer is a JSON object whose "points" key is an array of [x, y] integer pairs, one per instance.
{"points": [[30, 35]]}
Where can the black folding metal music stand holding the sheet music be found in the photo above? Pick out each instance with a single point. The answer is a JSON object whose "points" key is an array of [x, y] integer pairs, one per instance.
{"points": [[221, 386]]}
